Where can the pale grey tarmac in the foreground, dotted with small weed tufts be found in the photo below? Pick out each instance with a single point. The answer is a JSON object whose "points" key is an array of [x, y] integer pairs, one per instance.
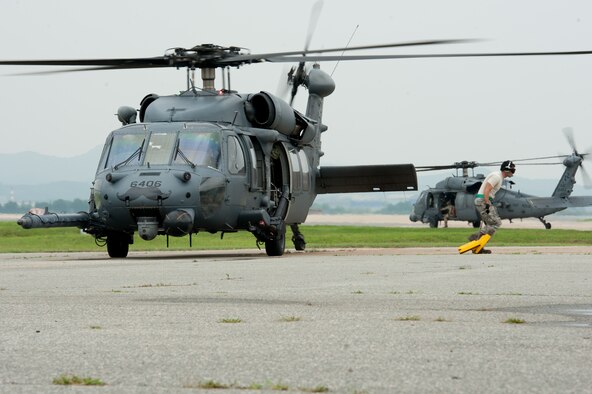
{"points": [[418, 320]]}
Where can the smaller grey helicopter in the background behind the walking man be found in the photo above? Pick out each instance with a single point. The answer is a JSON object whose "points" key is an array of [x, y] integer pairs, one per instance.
{"points": [[455, 195]]}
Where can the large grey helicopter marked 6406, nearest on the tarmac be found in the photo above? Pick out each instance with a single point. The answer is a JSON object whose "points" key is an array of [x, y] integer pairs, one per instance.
{"points": [[220, 161]]}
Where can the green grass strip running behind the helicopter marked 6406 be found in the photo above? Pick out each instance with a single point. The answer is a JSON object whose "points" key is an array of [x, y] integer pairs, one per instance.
{"points": [[14, 239]]}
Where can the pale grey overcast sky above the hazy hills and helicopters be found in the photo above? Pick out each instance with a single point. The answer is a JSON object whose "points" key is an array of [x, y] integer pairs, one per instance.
{"points": [[425, 111]]}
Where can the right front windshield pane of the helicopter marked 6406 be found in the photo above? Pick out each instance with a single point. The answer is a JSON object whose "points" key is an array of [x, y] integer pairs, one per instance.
{"points": [[199, 148]]}
